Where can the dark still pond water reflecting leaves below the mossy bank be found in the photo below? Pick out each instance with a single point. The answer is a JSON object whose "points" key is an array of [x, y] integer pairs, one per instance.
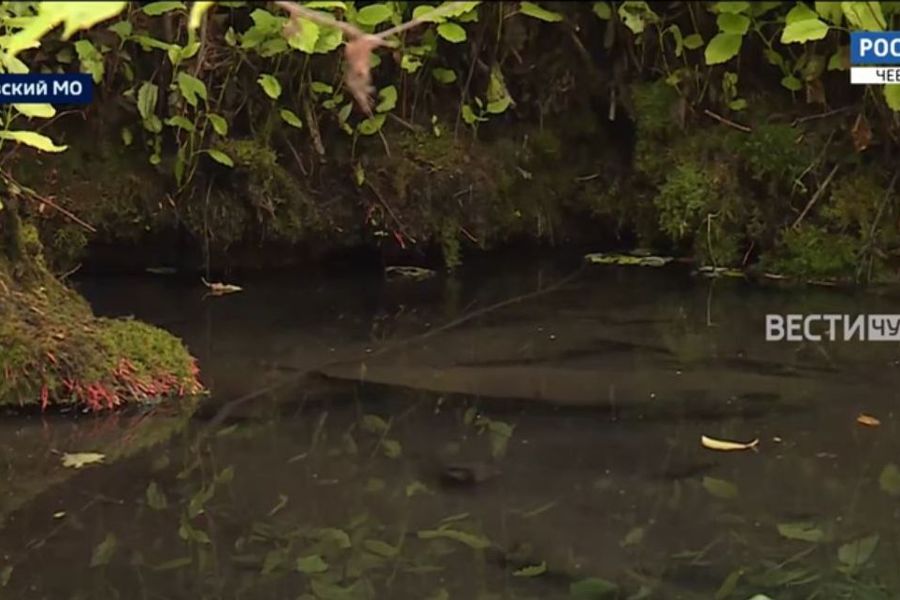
{"points": [[549, 448]]}
